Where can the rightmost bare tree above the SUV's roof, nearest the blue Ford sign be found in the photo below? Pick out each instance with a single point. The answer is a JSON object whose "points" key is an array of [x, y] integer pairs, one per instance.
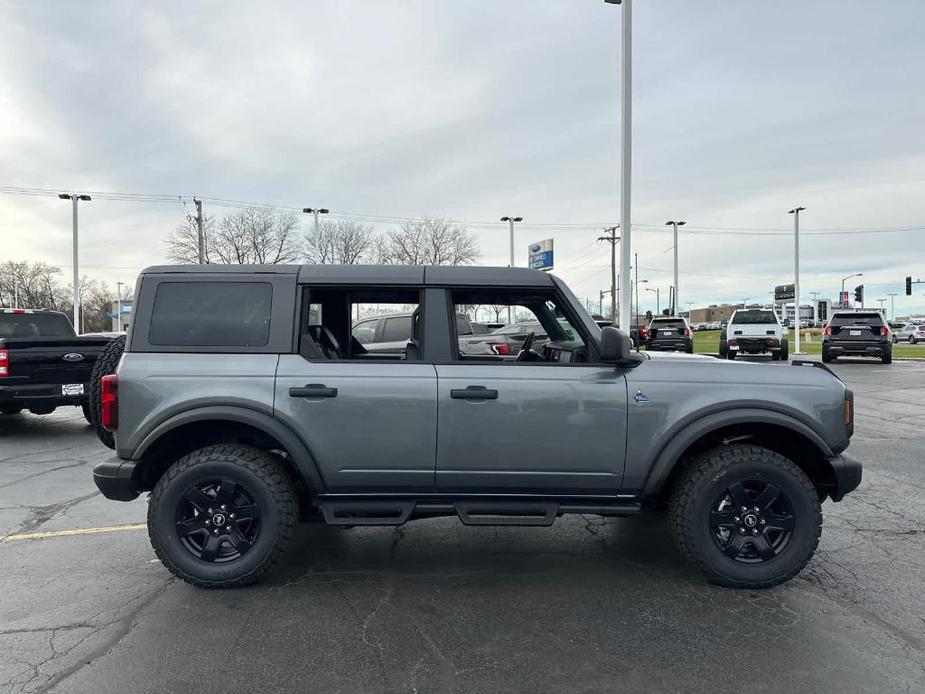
{"points": [[429, 241]]}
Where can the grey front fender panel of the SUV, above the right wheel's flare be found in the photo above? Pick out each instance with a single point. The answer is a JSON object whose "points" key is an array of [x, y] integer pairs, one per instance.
{"points": [[668, 393]]}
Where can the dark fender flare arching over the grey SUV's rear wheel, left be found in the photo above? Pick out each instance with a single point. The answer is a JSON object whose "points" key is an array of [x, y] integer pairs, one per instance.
{"points": [[298, 450]]}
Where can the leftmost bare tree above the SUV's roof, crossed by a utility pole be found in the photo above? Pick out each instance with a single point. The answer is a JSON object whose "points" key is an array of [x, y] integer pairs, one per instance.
{"points": [[249, 236]]}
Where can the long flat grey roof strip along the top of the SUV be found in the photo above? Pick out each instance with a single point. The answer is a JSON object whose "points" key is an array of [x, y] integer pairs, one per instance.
{"points": [[465, 276]]}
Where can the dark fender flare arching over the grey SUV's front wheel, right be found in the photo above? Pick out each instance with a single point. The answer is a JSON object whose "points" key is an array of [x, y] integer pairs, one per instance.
{"points": [[670, 455]]}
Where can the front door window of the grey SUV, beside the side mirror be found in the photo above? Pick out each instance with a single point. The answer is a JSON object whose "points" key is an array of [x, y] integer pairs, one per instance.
{"points": [[537, 327]]}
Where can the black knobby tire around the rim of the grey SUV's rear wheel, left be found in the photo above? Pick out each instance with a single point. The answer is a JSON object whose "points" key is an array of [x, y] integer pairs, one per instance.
{"points": [[264, 479]]}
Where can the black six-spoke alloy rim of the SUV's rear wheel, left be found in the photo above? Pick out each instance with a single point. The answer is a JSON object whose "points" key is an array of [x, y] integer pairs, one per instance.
{"points": [[217, 521]]}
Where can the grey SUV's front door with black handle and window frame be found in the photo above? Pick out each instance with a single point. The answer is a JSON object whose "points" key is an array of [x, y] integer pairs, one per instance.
{"points": [[537, 419]]}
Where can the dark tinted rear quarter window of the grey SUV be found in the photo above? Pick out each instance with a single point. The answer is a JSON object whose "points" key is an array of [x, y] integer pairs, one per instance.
{"points": [[211, 314]]}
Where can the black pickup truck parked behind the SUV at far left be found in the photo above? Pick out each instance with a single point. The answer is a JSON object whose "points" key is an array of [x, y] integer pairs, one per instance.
{"points": [[43, 363]]}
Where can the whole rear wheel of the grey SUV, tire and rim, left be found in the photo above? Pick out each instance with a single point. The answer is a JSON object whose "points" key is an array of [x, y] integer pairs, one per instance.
{"points": [[222, 516]]}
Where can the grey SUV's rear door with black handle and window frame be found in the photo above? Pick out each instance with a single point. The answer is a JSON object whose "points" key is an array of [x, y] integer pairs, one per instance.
{"points": [[369, 419]]}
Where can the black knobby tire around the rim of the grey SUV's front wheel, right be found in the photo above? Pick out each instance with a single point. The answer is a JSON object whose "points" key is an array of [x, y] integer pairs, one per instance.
{"points": [[703, 481]]}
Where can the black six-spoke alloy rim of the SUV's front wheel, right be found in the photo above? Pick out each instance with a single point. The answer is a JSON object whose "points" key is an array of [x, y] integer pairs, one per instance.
{"points": [[752, 521]]}
